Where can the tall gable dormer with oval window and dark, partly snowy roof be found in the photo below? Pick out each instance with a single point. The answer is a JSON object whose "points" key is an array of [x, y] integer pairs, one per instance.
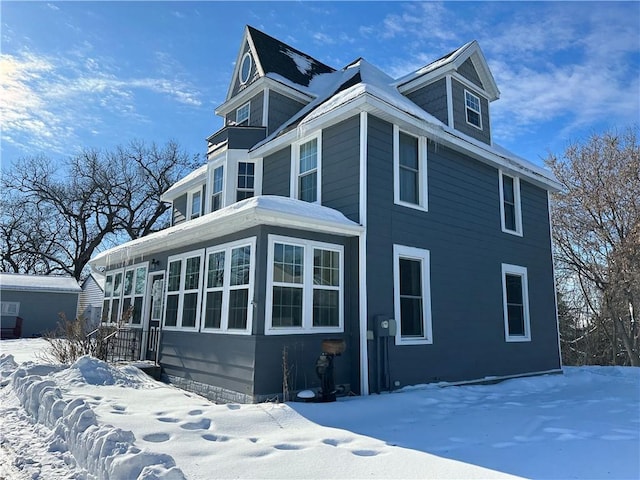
{"points": [[270, 82]]}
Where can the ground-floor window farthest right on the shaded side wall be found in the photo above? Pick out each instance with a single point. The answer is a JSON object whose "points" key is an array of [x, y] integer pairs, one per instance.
{"points": [[515, 295]]}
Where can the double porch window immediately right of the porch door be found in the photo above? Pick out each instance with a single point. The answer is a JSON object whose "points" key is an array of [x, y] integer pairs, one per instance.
{"points": [[183, 290]]}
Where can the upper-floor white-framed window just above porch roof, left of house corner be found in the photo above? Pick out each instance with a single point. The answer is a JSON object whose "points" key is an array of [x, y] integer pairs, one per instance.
{"points": [[306, 165]]}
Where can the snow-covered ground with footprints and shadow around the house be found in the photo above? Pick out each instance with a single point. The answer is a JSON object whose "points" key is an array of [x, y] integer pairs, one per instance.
{"points": [[92, 420]]}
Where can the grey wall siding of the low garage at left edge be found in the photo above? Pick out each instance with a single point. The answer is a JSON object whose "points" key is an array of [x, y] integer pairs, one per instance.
{"points": [[40, 310]]}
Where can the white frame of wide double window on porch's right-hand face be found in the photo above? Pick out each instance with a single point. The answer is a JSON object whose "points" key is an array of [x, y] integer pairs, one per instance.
{"points": [[307, 287]]}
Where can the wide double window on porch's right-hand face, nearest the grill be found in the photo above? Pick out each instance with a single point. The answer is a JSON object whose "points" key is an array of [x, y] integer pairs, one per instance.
{"points": [[305, 292]]}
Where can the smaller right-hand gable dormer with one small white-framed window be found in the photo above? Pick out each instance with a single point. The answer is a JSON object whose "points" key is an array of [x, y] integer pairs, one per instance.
{"points": [[457, 89]]}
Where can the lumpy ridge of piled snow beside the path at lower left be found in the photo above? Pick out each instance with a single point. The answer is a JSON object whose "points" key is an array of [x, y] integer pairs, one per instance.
{"points": [[106, 452]]}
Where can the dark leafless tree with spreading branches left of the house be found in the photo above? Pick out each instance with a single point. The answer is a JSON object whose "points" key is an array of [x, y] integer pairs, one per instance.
{"points": [[55, 216]]}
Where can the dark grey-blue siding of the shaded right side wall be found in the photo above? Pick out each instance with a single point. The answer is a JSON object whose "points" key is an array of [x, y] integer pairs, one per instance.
{"points": [[467, 247]]}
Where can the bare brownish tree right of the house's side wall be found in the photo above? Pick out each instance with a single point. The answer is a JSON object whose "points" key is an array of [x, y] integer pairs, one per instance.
{"points": [[596, 219]]}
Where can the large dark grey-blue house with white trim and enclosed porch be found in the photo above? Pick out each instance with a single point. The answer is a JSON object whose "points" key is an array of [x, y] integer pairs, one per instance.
{"points": [[346, 205]]}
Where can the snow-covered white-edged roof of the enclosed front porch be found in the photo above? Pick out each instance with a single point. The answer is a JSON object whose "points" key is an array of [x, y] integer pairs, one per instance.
{"points": [[261, 210]]}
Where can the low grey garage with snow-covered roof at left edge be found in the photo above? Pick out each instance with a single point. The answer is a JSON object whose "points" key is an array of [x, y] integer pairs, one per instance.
{"points": [[38, 300]]}
